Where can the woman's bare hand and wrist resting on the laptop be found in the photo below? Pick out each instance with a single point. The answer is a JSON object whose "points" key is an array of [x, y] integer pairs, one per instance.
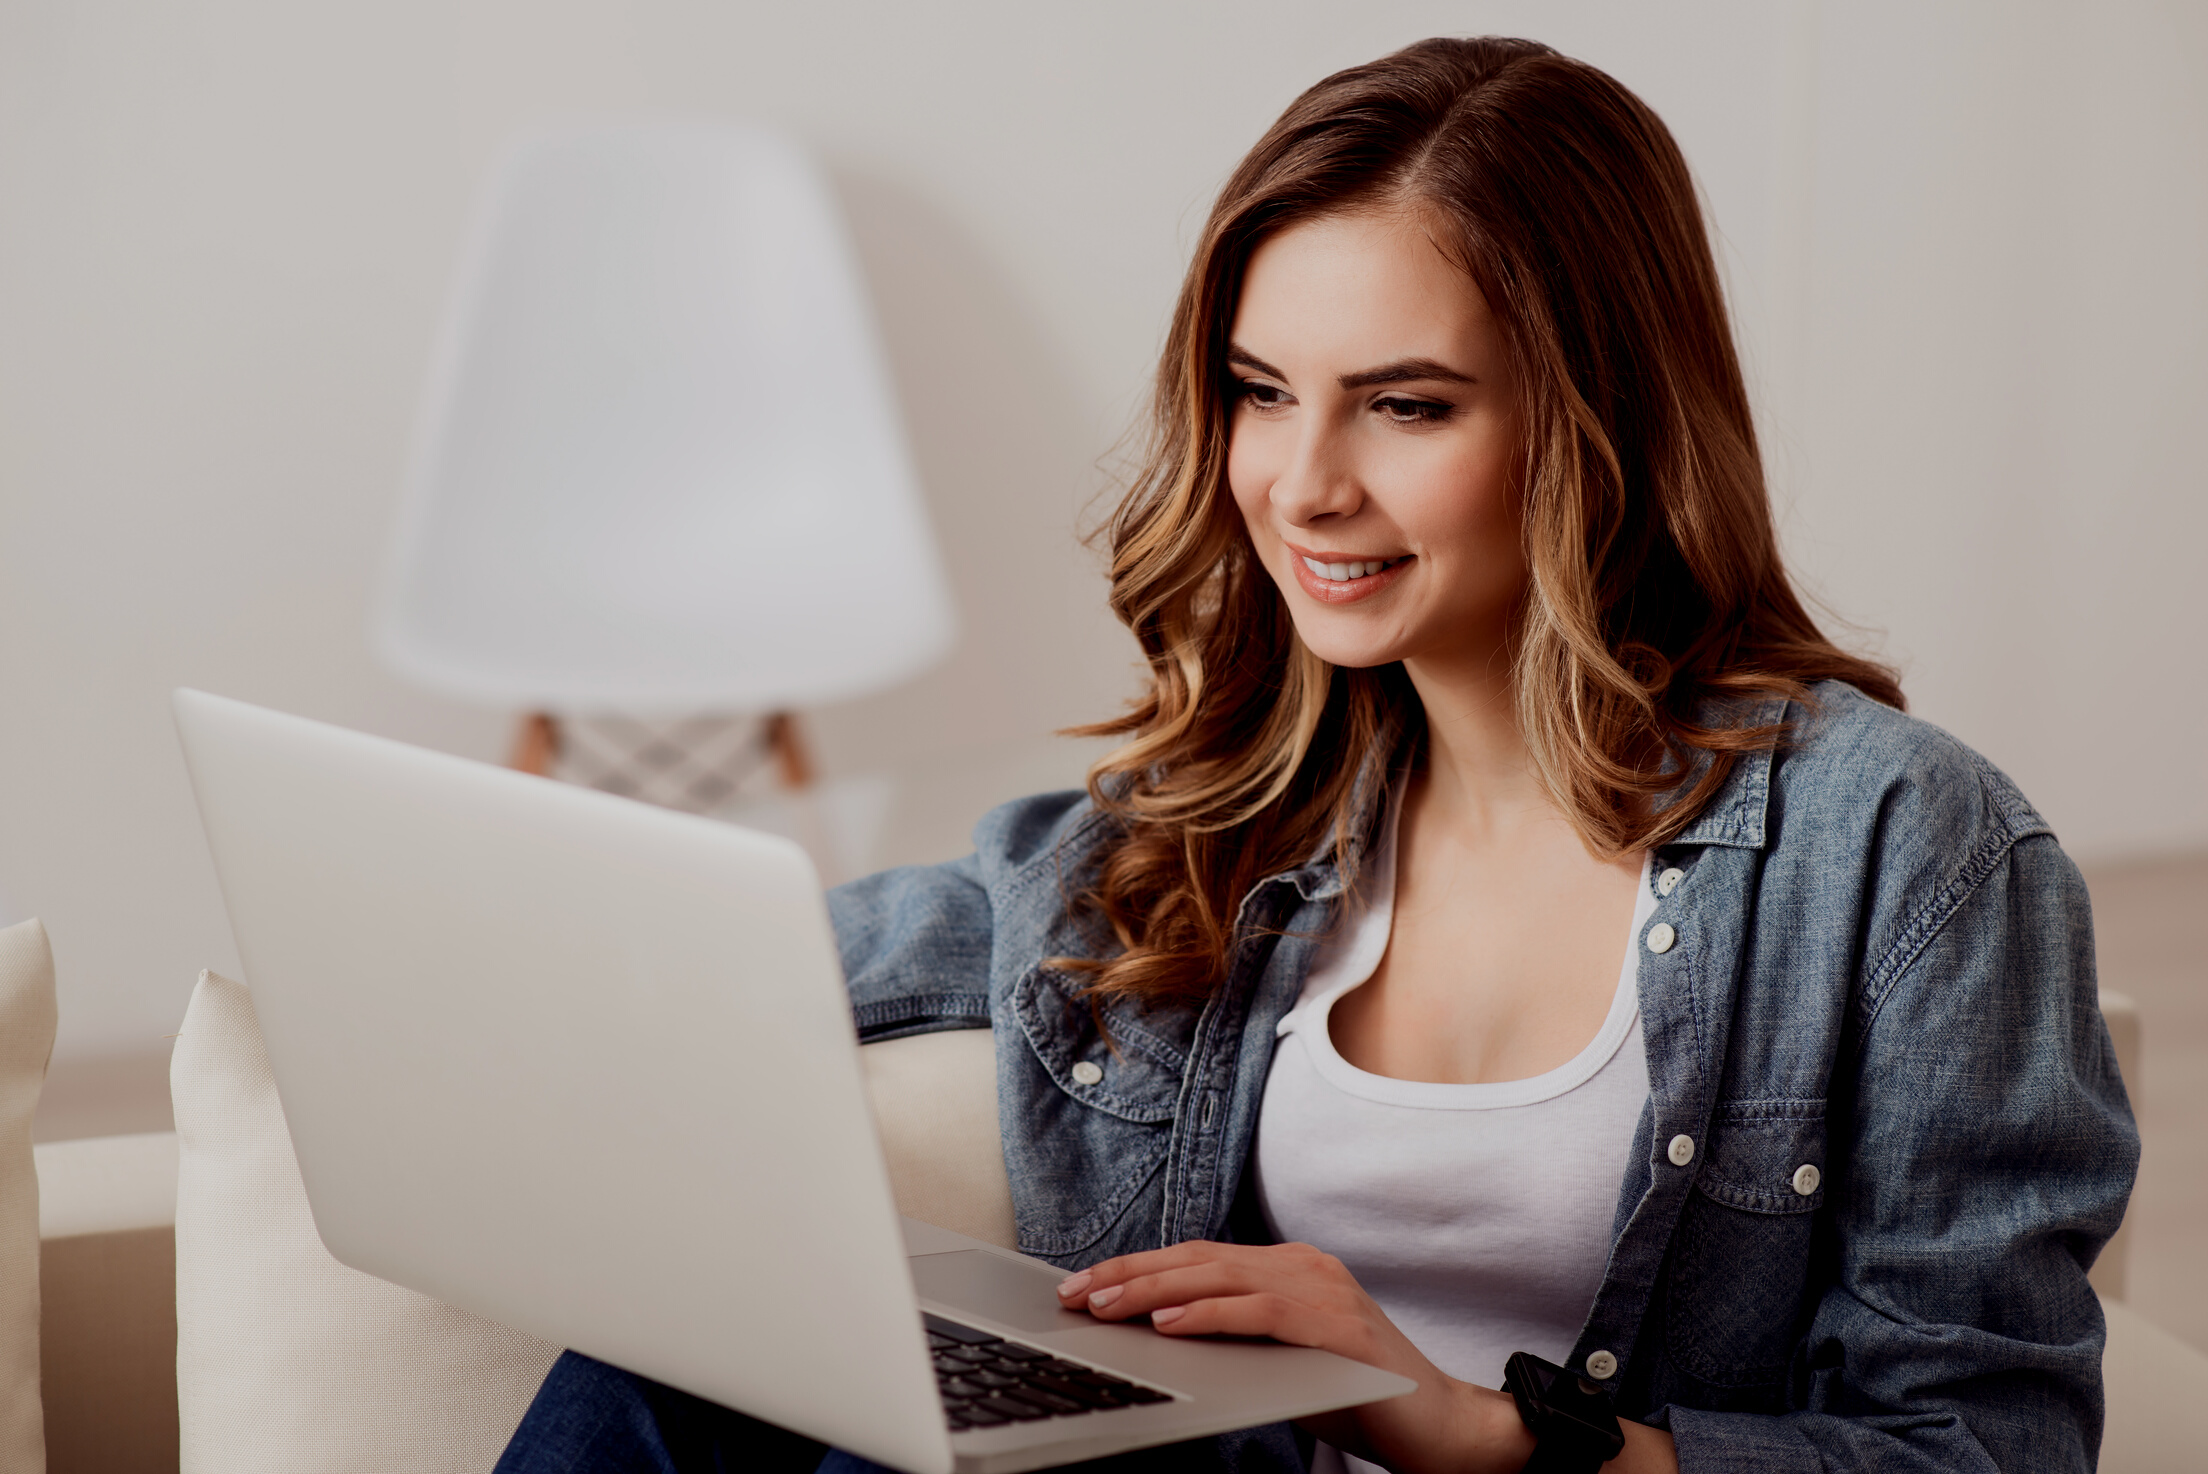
{"points": [[1306, 1299]]}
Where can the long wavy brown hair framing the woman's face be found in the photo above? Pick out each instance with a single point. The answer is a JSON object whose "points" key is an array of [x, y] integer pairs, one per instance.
{"points": [[1655, 599]]}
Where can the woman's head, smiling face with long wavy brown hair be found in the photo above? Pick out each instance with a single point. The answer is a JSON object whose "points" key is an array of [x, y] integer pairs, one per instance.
{"points": [[1489, 273]]}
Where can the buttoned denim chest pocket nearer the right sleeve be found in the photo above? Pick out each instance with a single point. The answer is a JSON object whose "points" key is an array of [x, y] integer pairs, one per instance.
{"points": [[1743, 1246]]}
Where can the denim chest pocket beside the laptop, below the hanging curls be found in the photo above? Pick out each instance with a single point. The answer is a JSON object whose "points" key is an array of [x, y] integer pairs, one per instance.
{"points": [[1101, 1120]]}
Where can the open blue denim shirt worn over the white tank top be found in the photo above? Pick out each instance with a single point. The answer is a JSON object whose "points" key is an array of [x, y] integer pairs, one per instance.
{"points": [[1882, 970]]}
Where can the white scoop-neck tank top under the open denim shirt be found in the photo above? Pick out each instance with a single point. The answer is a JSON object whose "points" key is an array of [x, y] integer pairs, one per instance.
{"points": [[1478, 1217]]}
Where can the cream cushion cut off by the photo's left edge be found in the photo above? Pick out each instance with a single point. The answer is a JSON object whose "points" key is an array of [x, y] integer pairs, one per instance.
{"points": [[25, 1045]]}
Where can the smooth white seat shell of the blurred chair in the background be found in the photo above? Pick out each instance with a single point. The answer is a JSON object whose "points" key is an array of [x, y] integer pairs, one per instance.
{"points": [[661, 464]]}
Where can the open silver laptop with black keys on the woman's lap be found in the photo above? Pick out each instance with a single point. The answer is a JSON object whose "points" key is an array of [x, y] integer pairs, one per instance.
{"points": [[588, 1069]]}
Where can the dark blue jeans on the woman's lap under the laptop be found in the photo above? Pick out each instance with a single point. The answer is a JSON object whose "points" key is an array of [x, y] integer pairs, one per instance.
{"points": [[599, 1420]]}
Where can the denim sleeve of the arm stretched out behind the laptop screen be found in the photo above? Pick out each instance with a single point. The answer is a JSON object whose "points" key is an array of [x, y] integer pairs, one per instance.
{"points": [[917, 948]]}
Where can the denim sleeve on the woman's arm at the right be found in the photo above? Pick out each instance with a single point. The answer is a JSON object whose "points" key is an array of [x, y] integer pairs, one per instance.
{"points": [[1993, 1160]]}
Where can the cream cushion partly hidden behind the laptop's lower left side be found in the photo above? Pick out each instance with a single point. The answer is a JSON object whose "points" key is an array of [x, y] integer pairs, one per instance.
{"points": [[286, 1358]]}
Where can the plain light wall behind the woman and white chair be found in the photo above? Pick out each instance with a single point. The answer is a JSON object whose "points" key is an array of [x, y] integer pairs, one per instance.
{"points": [[1966, 246]]}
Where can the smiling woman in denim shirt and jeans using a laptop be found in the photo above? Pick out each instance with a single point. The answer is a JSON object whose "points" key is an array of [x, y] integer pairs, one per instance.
{"points": [[1505, 886]]}
